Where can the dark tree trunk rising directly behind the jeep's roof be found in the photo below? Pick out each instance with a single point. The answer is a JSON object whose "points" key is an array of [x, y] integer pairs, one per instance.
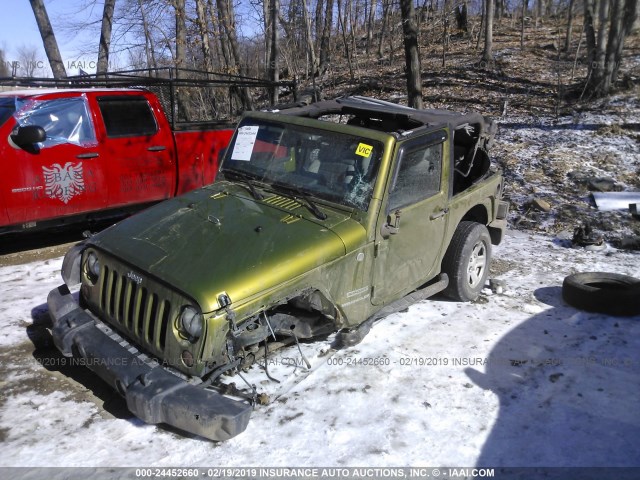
{"points": [[411, 53]]}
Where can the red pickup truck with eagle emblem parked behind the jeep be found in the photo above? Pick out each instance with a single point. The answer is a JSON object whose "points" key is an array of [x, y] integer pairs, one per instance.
{"points": [[73, 155]]}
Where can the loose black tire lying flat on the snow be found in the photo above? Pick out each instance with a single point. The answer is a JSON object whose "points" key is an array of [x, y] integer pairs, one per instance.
{"points": [[603, 292]]}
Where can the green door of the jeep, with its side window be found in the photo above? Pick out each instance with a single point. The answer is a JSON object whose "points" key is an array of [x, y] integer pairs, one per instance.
{"points": [[411, 229]]}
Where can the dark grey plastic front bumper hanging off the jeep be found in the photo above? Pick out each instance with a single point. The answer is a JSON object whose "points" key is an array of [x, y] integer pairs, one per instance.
{"points": [[153, 394]]}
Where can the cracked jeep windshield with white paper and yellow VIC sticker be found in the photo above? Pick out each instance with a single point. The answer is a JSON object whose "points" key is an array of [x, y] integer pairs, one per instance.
{"points": [[332, 166]]}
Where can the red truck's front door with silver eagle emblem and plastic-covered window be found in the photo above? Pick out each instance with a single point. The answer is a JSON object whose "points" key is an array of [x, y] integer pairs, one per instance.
{"points": [[59, 176]]}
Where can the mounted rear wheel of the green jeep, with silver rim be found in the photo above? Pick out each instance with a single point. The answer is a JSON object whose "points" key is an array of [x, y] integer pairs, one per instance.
{"points": [[467, 261]]}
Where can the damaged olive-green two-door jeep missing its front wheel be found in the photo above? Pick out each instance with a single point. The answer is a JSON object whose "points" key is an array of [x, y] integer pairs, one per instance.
{"points": [[323, 219]]}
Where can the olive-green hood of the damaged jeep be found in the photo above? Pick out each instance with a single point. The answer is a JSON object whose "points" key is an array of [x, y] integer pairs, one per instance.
{"points": [[221, 240]]}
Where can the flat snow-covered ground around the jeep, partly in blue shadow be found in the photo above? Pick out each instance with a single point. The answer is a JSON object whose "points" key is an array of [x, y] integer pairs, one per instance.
{"points": [[516, 379]]}
